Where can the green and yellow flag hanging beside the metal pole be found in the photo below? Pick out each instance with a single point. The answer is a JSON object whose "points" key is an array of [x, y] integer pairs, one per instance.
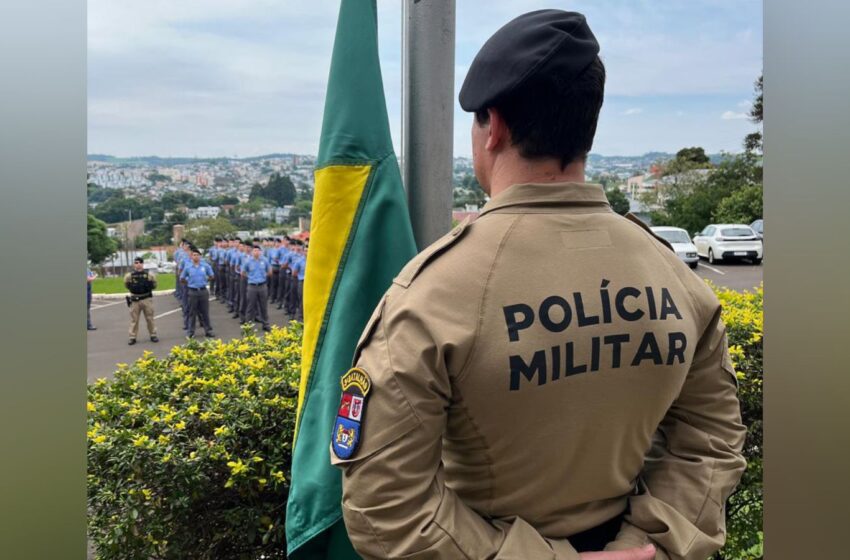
{"points": [[360, 239]]}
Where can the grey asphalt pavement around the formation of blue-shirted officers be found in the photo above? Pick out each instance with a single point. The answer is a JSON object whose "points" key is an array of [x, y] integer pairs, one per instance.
{"points": [[108, 346]]}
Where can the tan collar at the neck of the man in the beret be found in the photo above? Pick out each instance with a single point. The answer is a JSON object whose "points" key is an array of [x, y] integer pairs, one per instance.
{"points": [[548, 194]]}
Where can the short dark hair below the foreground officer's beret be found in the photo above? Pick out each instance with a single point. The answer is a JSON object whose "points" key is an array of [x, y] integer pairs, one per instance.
{"points": [[549, 118]]}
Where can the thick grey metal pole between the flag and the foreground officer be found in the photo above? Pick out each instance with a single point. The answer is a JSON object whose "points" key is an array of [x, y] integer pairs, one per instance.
{"points": [[428, 57]]}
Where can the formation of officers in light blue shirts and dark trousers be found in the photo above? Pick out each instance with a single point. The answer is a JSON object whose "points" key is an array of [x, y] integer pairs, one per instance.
{"points": [[246, 275]]}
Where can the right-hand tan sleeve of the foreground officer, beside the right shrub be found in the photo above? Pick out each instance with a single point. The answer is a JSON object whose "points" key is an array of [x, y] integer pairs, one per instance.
{"points": [[694, 464]]}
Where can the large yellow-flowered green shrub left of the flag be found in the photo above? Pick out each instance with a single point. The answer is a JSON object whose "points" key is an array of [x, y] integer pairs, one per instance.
{"points": [[189, 456]]}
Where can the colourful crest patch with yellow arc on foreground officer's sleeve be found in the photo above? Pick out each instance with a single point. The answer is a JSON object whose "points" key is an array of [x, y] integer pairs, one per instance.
{"points": [[347, 430]]}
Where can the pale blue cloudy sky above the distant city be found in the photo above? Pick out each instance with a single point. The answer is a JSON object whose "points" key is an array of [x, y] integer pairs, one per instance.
{"points": [[213, 78]]}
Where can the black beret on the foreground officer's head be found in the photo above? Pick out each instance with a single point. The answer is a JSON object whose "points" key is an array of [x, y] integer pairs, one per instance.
{"points": [[544, 42]]}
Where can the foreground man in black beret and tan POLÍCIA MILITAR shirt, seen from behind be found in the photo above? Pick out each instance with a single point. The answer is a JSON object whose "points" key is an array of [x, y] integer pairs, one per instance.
{"points": [[550, 381]]}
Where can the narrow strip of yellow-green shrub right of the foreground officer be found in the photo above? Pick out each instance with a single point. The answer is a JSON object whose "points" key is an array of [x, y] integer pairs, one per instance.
{"points": [[744, 317]]}
